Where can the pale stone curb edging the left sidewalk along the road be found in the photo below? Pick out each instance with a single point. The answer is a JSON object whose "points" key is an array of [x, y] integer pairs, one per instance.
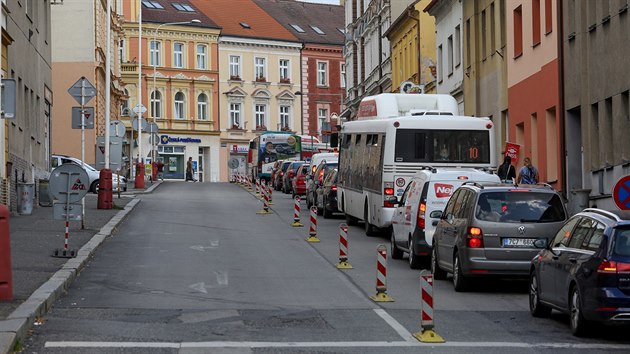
{"points": [[17, 325]]}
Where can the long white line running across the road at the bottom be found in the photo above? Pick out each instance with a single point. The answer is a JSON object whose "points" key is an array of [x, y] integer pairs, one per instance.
{"points": [[360, 344]]}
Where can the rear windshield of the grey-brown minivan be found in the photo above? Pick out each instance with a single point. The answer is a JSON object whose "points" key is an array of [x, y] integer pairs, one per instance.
{"points": [[520, 207]]}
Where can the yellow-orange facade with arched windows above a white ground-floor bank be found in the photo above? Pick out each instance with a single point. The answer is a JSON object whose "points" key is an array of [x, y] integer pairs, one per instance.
{"points": [[178, 86]]}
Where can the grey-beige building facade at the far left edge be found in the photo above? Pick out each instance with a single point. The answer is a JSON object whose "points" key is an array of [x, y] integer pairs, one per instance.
{"points": [[26, 57]]}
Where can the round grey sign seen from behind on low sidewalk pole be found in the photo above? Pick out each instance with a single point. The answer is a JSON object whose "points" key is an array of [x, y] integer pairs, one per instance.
{"points": [[69, 181]]}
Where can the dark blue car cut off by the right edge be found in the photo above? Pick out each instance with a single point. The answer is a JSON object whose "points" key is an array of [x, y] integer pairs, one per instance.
{"points": [[585, 270]]}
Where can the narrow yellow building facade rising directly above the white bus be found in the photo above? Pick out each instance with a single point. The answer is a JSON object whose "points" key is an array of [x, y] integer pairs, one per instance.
{"points": [[412, 40]]}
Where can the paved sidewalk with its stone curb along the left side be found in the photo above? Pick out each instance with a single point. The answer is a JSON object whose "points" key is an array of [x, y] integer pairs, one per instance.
{"points": [[38, 278]]}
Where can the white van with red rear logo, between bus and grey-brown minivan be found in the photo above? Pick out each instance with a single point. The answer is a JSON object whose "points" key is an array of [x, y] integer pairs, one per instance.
{"points": [[413, 222]]}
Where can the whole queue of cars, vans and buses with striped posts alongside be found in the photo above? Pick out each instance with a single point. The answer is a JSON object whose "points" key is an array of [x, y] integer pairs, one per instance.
{"points": [[425, 180]]}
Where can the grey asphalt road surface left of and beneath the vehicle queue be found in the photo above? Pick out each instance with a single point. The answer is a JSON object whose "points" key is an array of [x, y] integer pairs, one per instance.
{"points": [[194, 269]]}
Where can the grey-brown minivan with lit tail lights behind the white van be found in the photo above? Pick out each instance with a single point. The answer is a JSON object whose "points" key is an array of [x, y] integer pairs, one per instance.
{"points": [[490, 230]]}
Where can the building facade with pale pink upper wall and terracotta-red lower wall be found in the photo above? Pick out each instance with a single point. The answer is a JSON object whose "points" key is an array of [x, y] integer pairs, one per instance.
{"points": [[533, 86]]}
